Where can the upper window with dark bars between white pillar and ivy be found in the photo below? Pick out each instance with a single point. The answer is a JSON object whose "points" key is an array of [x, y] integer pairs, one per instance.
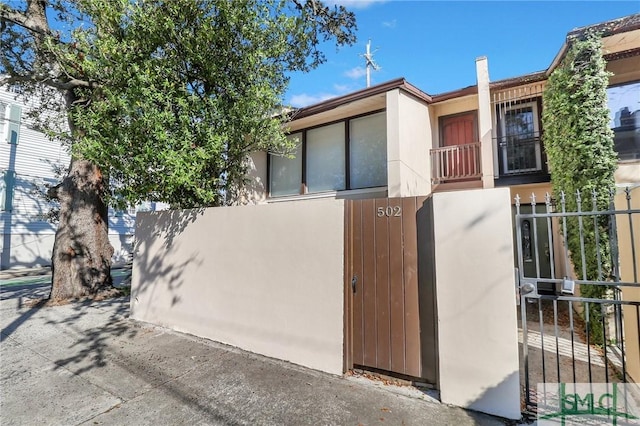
{"points": [[520, 138]]}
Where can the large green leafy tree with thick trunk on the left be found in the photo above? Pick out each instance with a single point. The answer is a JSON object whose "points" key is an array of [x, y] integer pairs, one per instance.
{"points": [[164, 101]]}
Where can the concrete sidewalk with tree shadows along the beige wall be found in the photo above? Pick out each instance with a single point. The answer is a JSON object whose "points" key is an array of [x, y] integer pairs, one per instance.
{"points": [[87, 363]]}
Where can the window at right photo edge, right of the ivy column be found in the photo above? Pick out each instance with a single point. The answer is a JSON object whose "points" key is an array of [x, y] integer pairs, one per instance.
{"points": [[624, 112]]}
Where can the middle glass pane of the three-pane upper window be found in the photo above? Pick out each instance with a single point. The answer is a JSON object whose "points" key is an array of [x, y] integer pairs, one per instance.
{"points": [[325, 158]]}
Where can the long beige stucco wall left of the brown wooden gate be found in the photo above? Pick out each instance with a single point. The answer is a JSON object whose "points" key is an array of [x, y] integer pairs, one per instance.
{"points": [[264, 278]]}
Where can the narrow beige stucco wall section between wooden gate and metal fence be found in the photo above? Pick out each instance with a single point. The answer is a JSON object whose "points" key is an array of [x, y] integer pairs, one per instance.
{"points": [[477, 325]]}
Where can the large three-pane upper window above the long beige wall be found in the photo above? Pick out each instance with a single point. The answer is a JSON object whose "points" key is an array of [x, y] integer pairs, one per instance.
{"points": [[350, 154]]}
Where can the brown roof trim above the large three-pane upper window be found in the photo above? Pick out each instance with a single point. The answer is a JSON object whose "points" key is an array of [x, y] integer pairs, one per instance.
{"points": [[399, 83]]}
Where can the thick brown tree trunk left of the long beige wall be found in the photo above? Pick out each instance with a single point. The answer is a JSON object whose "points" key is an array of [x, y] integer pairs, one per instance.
{"points": [[81, 263]]}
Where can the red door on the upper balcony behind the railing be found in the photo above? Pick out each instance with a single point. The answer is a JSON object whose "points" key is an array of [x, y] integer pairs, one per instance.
{"points": [[459, 131]]}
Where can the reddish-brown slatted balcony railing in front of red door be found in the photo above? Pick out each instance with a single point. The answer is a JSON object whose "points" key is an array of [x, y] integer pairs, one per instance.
{"points": [[455, 163]]}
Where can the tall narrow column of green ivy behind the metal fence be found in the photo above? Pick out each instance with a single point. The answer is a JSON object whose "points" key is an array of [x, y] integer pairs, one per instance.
{"points": [[580, 149]]}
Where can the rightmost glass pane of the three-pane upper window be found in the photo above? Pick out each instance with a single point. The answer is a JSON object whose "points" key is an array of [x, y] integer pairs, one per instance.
{"points": [[368, 151]]}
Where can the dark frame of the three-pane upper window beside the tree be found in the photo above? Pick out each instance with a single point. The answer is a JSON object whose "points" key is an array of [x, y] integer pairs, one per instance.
{"points": [[304, 190]]}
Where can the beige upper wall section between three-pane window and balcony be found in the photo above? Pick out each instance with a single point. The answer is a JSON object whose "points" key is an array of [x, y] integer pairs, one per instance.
{"points": [[408, 133]]}
